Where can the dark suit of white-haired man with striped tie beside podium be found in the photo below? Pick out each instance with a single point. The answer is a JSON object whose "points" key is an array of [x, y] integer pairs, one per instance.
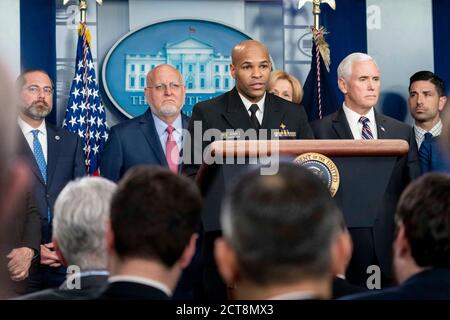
{"points": [[373, 245]]}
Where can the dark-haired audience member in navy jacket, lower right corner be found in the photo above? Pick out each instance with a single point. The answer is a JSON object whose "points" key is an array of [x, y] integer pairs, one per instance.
{"points": [[421, 247]]}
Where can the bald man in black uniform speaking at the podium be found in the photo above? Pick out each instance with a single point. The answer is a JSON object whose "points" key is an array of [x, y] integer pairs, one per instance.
{"points": [[247, 107]]}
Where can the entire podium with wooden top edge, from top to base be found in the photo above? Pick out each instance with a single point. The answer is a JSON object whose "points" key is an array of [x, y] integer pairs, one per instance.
{"points": [[372, 176]]}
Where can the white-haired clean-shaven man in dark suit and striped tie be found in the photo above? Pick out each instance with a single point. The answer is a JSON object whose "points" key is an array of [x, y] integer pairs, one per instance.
{"points": [[359, 81]]}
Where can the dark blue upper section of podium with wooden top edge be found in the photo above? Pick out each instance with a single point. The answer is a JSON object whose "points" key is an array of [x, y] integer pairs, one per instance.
{"points": [[365, 168]]}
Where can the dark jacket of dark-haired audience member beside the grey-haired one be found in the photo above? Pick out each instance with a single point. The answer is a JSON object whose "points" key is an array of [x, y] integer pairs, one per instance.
{"points": [[124, 290]]}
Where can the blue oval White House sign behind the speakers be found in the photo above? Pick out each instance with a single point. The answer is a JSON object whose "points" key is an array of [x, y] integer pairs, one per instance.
{"points": [[200, 50]]}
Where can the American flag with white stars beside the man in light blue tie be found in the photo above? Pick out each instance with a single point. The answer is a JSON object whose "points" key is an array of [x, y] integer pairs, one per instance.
{"points": [[85, 113]]}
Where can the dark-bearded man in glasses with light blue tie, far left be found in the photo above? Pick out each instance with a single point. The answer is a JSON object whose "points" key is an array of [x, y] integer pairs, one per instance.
{"points": [[55, 157]]}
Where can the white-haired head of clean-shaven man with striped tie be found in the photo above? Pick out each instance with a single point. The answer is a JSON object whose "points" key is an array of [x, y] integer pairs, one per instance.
{"points": [[359, 81]]}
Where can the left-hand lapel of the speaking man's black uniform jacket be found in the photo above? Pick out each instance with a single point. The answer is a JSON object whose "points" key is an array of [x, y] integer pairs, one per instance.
{"points": [[236, 115]]}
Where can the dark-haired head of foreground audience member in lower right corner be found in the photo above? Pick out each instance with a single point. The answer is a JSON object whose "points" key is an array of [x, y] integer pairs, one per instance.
{"points": [[423, 226]]}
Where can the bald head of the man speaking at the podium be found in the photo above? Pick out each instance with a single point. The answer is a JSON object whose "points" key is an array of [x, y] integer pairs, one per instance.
{"points": [[250, 67]]}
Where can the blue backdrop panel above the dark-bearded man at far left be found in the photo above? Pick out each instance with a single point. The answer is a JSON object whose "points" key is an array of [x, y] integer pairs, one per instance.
{"points": [[38, 39]]}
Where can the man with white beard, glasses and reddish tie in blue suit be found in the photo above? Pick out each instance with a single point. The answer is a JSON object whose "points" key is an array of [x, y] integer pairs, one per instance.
{"points": [[147, 138]]}
